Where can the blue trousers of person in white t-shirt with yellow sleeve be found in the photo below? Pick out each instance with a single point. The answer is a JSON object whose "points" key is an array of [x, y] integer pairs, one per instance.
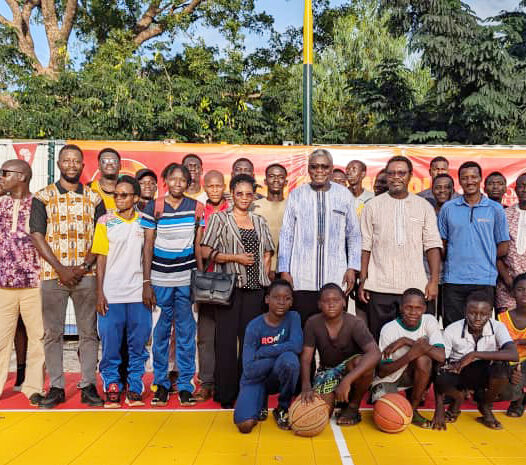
{"points": [[137, 320]]}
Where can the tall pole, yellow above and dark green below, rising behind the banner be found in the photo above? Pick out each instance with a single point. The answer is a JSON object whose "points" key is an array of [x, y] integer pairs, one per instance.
{"points": [[307, 73]]}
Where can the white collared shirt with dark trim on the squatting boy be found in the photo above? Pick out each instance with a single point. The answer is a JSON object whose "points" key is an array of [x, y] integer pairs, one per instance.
{"points": [[459, 341]]}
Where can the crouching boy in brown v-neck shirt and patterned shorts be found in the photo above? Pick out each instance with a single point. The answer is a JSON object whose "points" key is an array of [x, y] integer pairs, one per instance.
{"points": [[348, 356]]}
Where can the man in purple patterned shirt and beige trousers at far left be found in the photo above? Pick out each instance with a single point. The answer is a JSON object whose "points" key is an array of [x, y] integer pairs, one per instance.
{"points": [[19, 278]]}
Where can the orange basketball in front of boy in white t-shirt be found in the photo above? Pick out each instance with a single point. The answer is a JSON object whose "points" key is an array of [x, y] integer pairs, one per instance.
{"points": [[392, 413]]}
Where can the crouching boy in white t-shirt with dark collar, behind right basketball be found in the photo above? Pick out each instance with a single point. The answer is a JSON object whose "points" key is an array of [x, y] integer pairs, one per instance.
{"points": [[410, 346]]}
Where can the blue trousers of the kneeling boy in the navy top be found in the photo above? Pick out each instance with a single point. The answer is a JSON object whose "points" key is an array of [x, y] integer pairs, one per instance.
{"points": [[282, 379]]}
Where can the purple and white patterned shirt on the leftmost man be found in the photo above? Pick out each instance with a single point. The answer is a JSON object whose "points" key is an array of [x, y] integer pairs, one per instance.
{"points": [[19, 260]]}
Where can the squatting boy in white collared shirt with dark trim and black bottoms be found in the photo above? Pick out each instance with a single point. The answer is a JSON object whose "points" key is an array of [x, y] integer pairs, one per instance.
{"points": [[478, 350]]}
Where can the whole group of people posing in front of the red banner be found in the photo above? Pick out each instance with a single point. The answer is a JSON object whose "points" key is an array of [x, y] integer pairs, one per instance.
{"points": [[125, 255]]}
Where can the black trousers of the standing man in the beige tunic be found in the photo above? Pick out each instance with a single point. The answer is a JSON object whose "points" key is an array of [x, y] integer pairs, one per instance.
{"points": [[383, 308]]}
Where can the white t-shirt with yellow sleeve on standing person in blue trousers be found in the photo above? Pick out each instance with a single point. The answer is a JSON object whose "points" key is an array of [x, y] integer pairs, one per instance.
{"points": [[122, 242]]}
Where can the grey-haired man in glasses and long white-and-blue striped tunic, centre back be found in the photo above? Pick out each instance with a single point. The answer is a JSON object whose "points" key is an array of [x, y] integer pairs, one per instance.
{"points": [[320, 239]]}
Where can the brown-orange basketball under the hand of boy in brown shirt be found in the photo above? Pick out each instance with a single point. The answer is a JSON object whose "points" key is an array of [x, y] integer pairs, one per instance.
{"points": [[308, 420]]}
